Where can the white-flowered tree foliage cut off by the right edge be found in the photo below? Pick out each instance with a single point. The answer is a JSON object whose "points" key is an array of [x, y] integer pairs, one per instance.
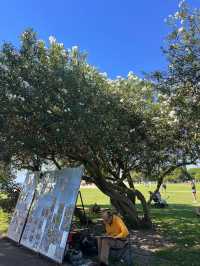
{"points": [[180, 84]]}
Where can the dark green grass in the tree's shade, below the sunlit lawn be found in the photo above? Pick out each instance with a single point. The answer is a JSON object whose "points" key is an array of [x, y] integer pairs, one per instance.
{"points": [[179, 225]]}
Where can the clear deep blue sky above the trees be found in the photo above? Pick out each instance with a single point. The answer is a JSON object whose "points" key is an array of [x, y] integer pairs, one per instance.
{"points": [[119, 36]]}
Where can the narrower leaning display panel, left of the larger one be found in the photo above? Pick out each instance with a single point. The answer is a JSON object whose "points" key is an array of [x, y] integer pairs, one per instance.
{"points": [[22, 208]]}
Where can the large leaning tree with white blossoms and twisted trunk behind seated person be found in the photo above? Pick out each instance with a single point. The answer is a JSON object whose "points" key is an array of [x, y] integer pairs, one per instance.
{"points": [[55, 107]]}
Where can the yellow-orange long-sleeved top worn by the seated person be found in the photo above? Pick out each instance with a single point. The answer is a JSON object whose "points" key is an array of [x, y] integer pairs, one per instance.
{"points": [[117, 228]]}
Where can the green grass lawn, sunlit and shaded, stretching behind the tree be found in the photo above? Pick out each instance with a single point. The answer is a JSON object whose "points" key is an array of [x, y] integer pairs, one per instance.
{"points": [[177, 223]]}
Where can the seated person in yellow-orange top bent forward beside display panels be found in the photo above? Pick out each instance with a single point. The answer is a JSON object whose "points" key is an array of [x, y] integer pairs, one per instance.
{"points": [[116, 234]]}
